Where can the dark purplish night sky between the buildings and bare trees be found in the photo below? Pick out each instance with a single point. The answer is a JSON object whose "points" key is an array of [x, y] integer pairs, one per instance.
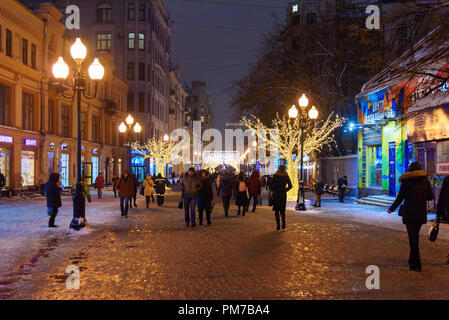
{"points": [[214, 42]]}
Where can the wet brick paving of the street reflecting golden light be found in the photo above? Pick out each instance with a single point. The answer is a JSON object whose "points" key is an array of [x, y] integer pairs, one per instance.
{"points": [[152, 255]]}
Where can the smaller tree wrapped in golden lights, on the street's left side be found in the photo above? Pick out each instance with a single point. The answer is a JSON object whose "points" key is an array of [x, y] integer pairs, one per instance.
{"points": [[161, 151]]}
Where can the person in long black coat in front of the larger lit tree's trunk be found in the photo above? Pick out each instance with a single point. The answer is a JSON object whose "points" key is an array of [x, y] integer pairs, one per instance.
{"points": [[280, 185]]}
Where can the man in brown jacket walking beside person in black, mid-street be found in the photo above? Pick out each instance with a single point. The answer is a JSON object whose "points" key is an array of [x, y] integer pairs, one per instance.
{"points": [[190, 186]]}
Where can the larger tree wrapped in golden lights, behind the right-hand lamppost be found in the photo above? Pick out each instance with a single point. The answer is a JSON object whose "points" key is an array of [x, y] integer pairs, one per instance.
{"points": [[284, 141]]}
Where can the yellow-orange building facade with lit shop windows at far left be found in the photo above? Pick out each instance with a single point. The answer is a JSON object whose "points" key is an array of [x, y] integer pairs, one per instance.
{"points": [[37, 125]]}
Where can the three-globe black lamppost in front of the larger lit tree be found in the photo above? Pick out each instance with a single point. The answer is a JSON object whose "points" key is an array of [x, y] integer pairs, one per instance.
{"points": [[293, 113]]}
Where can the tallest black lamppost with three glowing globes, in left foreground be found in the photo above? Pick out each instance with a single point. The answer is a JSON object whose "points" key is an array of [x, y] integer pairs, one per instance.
{"points": [[79, 87]]}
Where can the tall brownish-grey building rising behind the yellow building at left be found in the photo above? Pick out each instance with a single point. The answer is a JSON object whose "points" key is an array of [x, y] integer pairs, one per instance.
{"points": [[137, 35]]}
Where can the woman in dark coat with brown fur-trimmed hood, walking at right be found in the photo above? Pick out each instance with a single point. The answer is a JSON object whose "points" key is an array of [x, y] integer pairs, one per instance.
{"points": [[416, 191]]}
